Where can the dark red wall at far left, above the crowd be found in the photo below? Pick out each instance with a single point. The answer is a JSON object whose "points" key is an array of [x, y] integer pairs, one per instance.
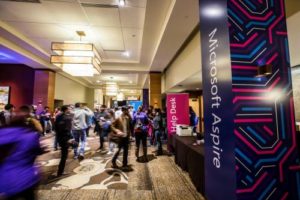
{"points": [[21, 80]]}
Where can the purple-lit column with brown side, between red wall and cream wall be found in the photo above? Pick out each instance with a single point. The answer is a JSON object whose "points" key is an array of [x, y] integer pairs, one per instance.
{"points": [[44, 86]]}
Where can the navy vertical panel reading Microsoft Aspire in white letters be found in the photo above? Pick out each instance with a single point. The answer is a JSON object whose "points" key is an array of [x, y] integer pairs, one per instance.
{"points": [[217, 92]]}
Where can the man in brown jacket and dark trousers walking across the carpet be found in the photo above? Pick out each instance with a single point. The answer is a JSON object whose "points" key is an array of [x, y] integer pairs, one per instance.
{"points": [[121, 128]]}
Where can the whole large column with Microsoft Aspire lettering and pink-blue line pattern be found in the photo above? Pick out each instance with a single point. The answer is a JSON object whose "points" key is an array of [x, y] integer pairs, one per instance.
{"points": [[250, 137]]}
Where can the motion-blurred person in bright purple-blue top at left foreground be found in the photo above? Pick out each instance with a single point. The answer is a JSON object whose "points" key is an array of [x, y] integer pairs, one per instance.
{"points": [[19, 147]]}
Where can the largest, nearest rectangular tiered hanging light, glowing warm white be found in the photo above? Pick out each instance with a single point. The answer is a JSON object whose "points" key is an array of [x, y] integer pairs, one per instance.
{"points": [[76, 58]]}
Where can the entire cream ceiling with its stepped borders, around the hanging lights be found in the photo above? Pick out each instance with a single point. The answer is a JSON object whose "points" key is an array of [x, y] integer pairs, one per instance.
{"points": [[151, 31]]}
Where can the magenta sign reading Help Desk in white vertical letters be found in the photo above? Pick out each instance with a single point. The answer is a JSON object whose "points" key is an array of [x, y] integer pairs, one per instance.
{"points": [[177, 111]]}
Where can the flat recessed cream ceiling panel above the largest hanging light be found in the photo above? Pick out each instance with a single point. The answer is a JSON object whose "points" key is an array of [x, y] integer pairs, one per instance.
{"points": [[113, 30]]}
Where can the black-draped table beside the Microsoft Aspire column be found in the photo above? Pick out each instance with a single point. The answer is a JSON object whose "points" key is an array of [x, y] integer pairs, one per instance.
{"points": [[190, 158]]}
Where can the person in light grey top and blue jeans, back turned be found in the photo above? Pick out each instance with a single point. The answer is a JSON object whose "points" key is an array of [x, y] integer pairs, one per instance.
{"points": [[79, 129]]}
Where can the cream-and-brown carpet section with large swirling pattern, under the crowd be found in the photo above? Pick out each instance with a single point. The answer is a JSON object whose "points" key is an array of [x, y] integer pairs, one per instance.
{"points": [[94, 172]]}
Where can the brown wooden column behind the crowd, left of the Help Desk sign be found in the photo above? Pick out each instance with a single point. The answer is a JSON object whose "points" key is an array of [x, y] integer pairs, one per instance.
{"points": [[155, 89]]}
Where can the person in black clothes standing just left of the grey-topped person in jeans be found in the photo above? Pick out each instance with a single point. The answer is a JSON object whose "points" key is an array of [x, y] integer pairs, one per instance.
{"points": [[63, 127]]}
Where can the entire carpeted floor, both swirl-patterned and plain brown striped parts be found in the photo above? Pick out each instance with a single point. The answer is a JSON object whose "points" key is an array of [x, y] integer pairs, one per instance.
{"points": [[93, 178]]}
